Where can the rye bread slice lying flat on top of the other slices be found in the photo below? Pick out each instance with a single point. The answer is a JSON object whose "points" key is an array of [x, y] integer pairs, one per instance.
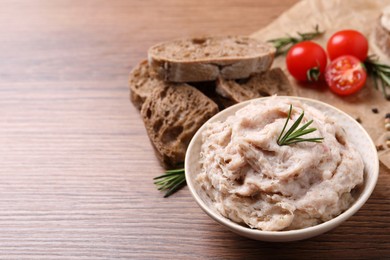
{"points": [[207, 58]]}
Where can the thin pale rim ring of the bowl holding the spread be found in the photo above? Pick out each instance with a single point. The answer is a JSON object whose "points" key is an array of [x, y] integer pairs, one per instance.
{"points": [[317, 229]]}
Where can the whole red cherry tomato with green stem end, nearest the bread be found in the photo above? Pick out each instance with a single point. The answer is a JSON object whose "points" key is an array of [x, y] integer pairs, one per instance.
{"points": [[306, 61]]}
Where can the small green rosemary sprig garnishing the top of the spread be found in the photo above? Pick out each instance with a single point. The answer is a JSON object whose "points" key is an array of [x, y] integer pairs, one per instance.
{"points": [[293, 135]]}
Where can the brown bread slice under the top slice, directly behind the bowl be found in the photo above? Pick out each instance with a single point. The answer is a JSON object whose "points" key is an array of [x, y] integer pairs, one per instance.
{"points": [[263, 84]]}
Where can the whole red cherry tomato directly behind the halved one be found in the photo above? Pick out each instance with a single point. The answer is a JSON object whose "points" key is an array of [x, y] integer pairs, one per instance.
{"points": [[347, 42]]}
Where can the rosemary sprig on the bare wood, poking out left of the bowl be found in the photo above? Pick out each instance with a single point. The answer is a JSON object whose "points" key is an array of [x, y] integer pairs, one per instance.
{"points": [[171, 181]]}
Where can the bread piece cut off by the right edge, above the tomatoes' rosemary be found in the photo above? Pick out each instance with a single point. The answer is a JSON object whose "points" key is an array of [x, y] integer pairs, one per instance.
{"points": [[382, 32]]}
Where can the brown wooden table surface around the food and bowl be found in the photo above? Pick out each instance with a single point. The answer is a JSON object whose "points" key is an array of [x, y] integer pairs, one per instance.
{"points": [[76, 165]]}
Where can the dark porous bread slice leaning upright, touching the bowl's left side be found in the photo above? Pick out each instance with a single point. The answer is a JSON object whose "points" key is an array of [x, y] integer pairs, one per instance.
{"points": [[172, 114]]}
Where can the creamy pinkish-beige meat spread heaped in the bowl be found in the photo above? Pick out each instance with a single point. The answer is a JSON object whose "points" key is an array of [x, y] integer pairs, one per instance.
{"points": [[254, 181]]}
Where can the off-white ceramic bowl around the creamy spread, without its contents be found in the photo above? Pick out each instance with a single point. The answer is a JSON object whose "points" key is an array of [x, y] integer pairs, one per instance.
{"points": [[357, 135]]}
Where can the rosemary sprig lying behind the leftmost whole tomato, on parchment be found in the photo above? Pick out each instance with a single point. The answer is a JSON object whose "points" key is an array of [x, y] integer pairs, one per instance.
{"points": [[283, 44]]}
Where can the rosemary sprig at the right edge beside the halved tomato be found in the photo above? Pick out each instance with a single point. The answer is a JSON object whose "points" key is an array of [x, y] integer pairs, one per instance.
{"points": [[380, 74]]}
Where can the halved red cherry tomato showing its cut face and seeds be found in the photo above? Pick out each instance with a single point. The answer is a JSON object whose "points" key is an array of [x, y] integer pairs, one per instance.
{"points": [[345, 75]]}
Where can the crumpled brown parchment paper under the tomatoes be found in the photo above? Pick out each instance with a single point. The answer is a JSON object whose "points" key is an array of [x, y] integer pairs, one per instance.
{"points": [[332, 16]]}
